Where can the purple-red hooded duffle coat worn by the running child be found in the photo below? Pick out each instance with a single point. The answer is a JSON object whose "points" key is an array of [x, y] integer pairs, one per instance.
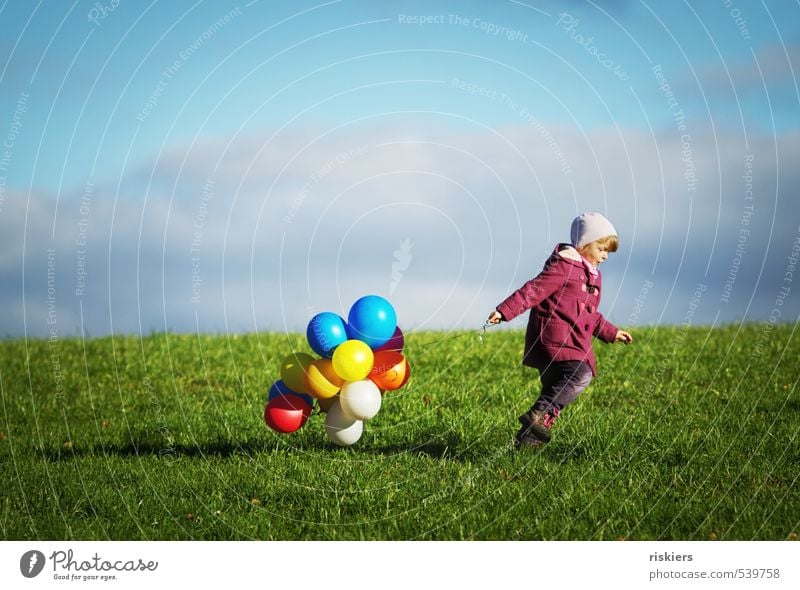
{"points": [[563, 300]]}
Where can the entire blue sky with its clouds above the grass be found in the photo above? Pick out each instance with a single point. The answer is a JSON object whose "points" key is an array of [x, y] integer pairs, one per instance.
{"points": [[241, 166]]}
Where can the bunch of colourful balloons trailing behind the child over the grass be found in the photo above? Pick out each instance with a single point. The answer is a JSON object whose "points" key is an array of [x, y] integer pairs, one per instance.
{"points": [[359, 360]]}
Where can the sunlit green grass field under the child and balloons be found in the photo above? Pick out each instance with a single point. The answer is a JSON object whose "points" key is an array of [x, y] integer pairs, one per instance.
{"points": [[686, 434]]}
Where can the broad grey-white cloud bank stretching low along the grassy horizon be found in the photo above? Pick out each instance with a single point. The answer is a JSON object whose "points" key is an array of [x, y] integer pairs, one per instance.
{"points": [[309, 222]]}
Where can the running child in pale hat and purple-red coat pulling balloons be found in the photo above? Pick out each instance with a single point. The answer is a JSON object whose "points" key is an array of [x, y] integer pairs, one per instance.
{"points": [[563, 300]]}
